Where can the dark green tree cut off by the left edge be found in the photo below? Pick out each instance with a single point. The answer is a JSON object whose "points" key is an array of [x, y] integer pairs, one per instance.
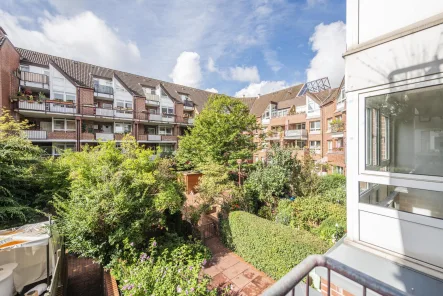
{"points": [[20, 164]]}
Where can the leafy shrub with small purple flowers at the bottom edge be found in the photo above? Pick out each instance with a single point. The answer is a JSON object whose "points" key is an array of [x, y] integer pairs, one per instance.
{"points": [[168, 268]]}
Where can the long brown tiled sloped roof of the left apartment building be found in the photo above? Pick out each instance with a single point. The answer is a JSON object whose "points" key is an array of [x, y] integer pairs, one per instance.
{"points": [[83, 73]]}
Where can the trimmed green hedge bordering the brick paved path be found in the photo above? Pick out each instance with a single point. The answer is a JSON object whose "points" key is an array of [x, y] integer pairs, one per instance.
{"points": [[271, 247]]}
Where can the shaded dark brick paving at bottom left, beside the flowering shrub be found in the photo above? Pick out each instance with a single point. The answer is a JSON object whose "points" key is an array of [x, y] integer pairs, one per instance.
{"points": [[85, 278]]}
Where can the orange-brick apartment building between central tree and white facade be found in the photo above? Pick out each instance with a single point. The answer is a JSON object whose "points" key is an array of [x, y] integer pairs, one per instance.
{"points": [[310, 119]]}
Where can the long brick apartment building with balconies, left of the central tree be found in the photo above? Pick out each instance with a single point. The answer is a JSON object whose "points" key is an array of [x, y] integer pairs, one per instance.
{"points": [[71, 103]]}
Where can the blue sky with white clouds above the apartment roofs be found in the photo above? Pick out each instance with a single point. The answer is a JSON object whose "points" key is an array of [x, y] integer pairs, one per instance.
{"points": [[235, 47]]}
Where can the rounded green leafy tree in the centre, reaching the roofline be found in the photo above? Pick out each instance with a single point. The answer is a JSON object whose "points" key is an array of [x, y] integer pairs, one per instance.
{"points": [[222, 133]]}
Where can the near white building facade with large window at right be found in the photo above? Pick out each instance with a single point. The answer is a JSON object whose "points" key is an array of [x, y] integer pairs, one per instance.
{"points": [[394, 96]]}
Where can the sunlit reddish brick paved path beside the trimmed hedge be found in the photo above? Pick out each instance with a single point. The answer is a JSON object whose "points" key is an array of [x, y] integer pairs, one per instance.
{"points": [[226, 268]]}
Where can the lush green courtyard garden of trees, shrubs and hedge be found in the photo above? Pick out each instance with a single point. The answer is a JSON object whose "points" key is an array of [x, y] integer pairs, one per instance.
{"points": [[124, 206]]}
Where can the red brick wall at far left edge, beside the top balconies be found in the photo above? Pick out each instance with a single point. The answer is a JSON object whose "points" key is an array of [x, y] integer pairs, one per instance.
{"points": [[9, 61]]}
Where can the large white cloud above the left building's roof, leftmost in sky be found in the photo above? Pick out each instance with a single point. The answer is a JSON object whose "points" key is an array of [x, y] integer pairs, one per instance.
{"points": [[83, 37]]}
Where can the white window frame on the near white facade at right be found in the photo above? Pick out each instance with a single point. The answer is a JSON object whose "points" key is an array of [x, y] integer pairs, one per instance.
{"points": [[434, 183]]}
